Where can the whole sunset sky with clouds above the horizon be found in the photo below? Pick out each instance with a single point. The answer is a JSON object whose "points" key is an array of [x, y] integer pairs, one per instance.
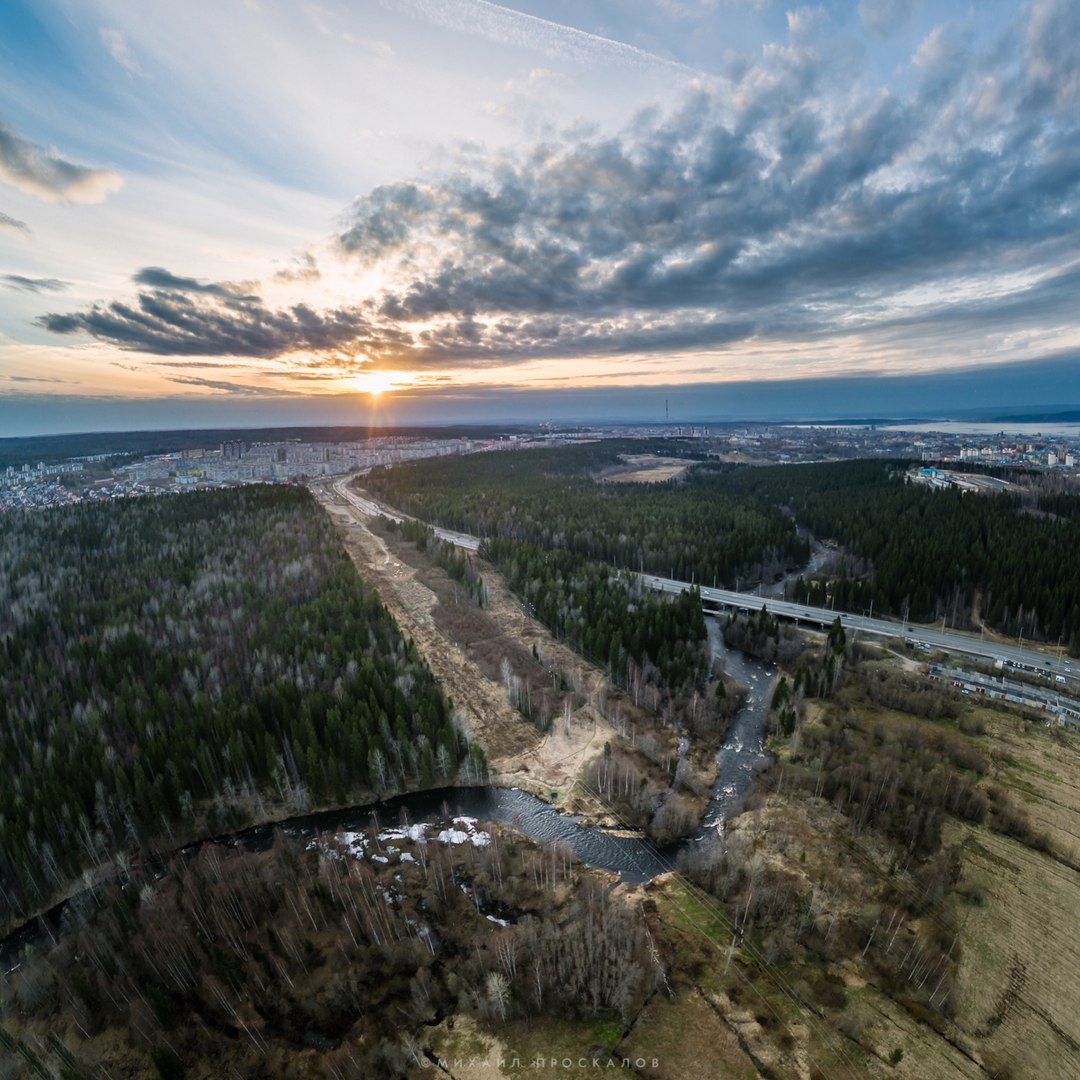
{"points": [[265, 212]]}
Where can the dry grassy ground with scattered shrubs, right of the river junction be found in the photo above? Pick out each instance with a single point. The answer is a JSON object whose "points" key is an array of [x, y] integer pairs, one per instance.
{"points": [[820, 1009]]}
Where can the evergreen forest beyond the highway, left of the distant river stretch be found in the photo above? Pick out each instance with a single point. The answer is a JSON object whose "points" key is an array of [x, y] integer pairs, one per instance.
{"points": [[557, 498]]}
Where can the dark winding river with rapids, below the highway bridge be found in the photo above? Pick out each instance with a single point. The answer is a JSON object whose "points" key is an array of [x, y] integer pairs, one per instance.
{"points": [[633, 858]]}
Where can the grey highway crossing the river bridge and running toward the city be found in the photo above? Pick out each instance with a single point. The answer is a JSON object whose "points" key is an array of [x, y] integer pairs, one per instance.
{"points": [[713, 599]]}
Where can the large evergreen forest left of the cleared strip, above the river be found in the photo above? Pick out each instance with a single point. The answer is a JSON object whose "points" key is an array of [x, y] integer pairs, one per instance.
{"points": [[187, 664]]}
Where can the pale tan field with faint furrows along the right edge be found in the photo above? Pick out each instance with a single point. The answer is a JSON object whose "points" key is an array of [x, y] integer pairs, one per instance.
{"points": [[1019, 993]]}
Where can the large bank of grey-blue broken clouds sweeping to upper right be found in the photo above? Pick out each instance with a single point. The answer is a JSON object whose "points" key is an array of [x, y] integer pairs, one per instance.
{"points": [[775, 206]]}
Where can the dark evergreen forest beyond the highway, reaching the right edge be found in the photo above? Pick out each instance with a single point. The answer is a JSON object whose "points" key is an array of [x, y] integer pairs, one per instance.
{"points": [[930, 555]]}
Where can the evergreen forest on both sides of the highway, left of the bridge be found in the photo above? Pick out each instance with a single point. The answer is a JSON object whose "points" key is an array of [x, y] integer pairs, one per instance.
{"points": [[561, 535]]}
